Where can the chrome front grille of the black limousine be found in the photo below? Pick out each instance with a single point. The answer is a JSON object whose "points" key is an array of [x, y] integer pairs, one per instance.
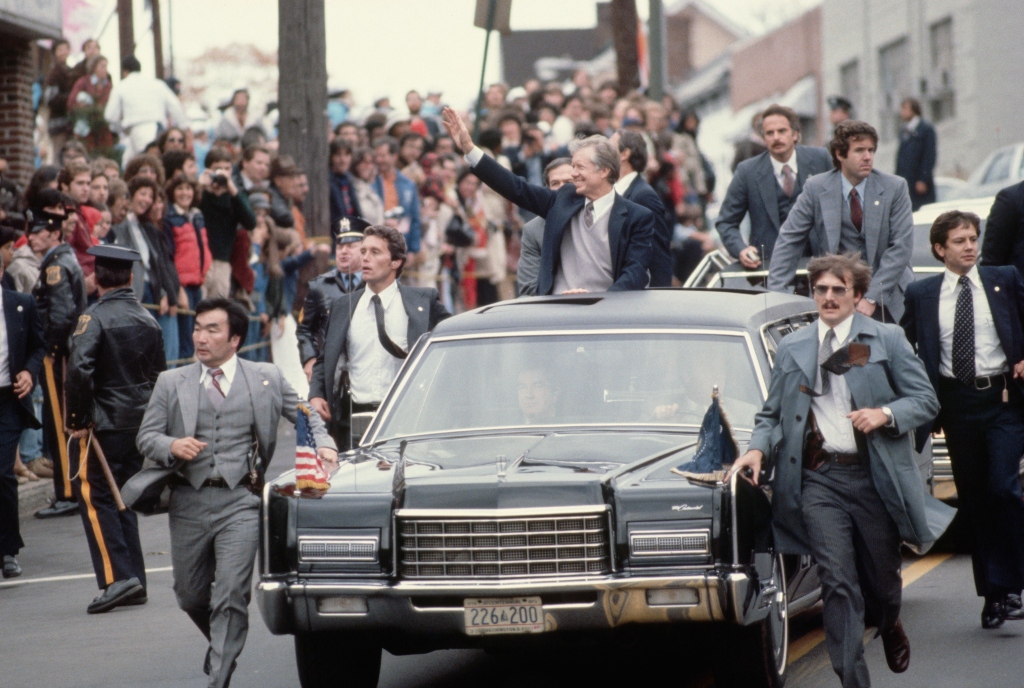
{"points": [[481, 547]]}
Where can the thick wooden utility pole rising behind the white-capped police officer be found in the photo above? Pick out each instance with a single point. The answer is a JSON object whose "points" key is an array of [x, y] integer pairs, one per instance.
{"points": [[303, 102]]}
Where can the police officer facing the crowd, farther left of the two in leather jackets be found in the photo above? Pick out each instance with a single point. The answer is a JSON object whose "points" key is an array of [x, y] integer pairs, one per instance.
{"points": [[61, 298]]}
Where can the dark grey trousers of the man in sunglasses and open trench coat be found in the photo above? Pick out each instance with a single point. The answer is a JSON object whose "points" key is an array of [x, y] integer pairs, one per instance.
{"points": [[857, 545]]}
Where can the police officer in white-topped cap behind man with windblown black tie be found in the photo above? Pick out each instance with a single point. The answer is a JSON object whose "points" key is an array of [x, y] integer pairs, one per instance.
{"points": [[345, 279]]}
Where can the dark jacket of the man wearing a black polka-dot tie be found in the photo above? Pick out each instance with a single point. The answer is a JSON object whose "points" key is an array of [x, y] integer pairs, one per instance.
{"points": [[1005, 289]]}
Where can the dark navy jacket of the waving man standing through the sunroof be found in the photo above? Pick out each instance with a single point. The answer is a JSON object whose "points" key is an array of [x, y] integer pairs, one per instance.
{"points": [[630, 227]]}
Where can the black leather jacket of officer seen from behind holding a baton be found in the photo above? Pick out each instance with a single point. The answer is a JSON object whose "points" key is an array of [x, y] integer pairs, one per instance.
{"points": [[117, 354]]}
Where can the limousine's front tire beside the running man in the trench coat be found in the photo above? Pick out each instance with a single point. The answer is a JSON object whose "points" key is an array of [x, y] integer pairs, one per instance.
{"points": [[756, 657]]}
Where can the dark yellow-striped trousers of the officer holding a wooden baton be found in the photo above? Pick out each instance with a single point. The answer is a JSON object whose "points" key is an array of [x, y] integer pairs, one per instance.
{"points": [[113, 535]]}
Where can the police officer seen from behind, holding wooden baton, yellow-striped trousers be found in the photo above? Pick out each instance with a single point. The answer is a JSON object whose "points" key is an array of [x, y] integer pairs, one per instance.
{"points": [[117, 353]]}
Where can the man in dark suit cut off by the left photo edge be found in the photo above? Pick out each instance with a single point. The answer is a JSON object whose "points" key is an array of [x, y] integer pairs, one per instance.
{"points": [[22, 352]]}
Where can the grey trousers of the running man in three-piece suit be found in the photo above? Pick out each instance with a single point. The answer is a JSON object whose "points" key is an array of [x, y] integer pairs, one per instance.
{"points": [[215, 538]]}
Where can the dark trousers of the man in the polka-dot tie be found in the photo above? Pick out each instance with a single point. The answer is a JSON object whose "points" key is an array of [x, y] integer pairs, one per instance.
{"points": [[986, 439]]}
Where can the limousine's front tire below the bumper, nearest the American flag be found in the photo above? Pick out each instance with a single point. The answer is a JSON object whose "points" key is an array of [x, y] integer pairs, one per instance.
{"points": [[336, 660]]}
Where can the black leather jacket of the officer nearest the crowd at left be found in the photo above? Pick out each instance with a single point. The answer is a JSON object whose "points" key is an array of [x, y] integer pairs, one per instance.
{"points": [[61, 297]]}
